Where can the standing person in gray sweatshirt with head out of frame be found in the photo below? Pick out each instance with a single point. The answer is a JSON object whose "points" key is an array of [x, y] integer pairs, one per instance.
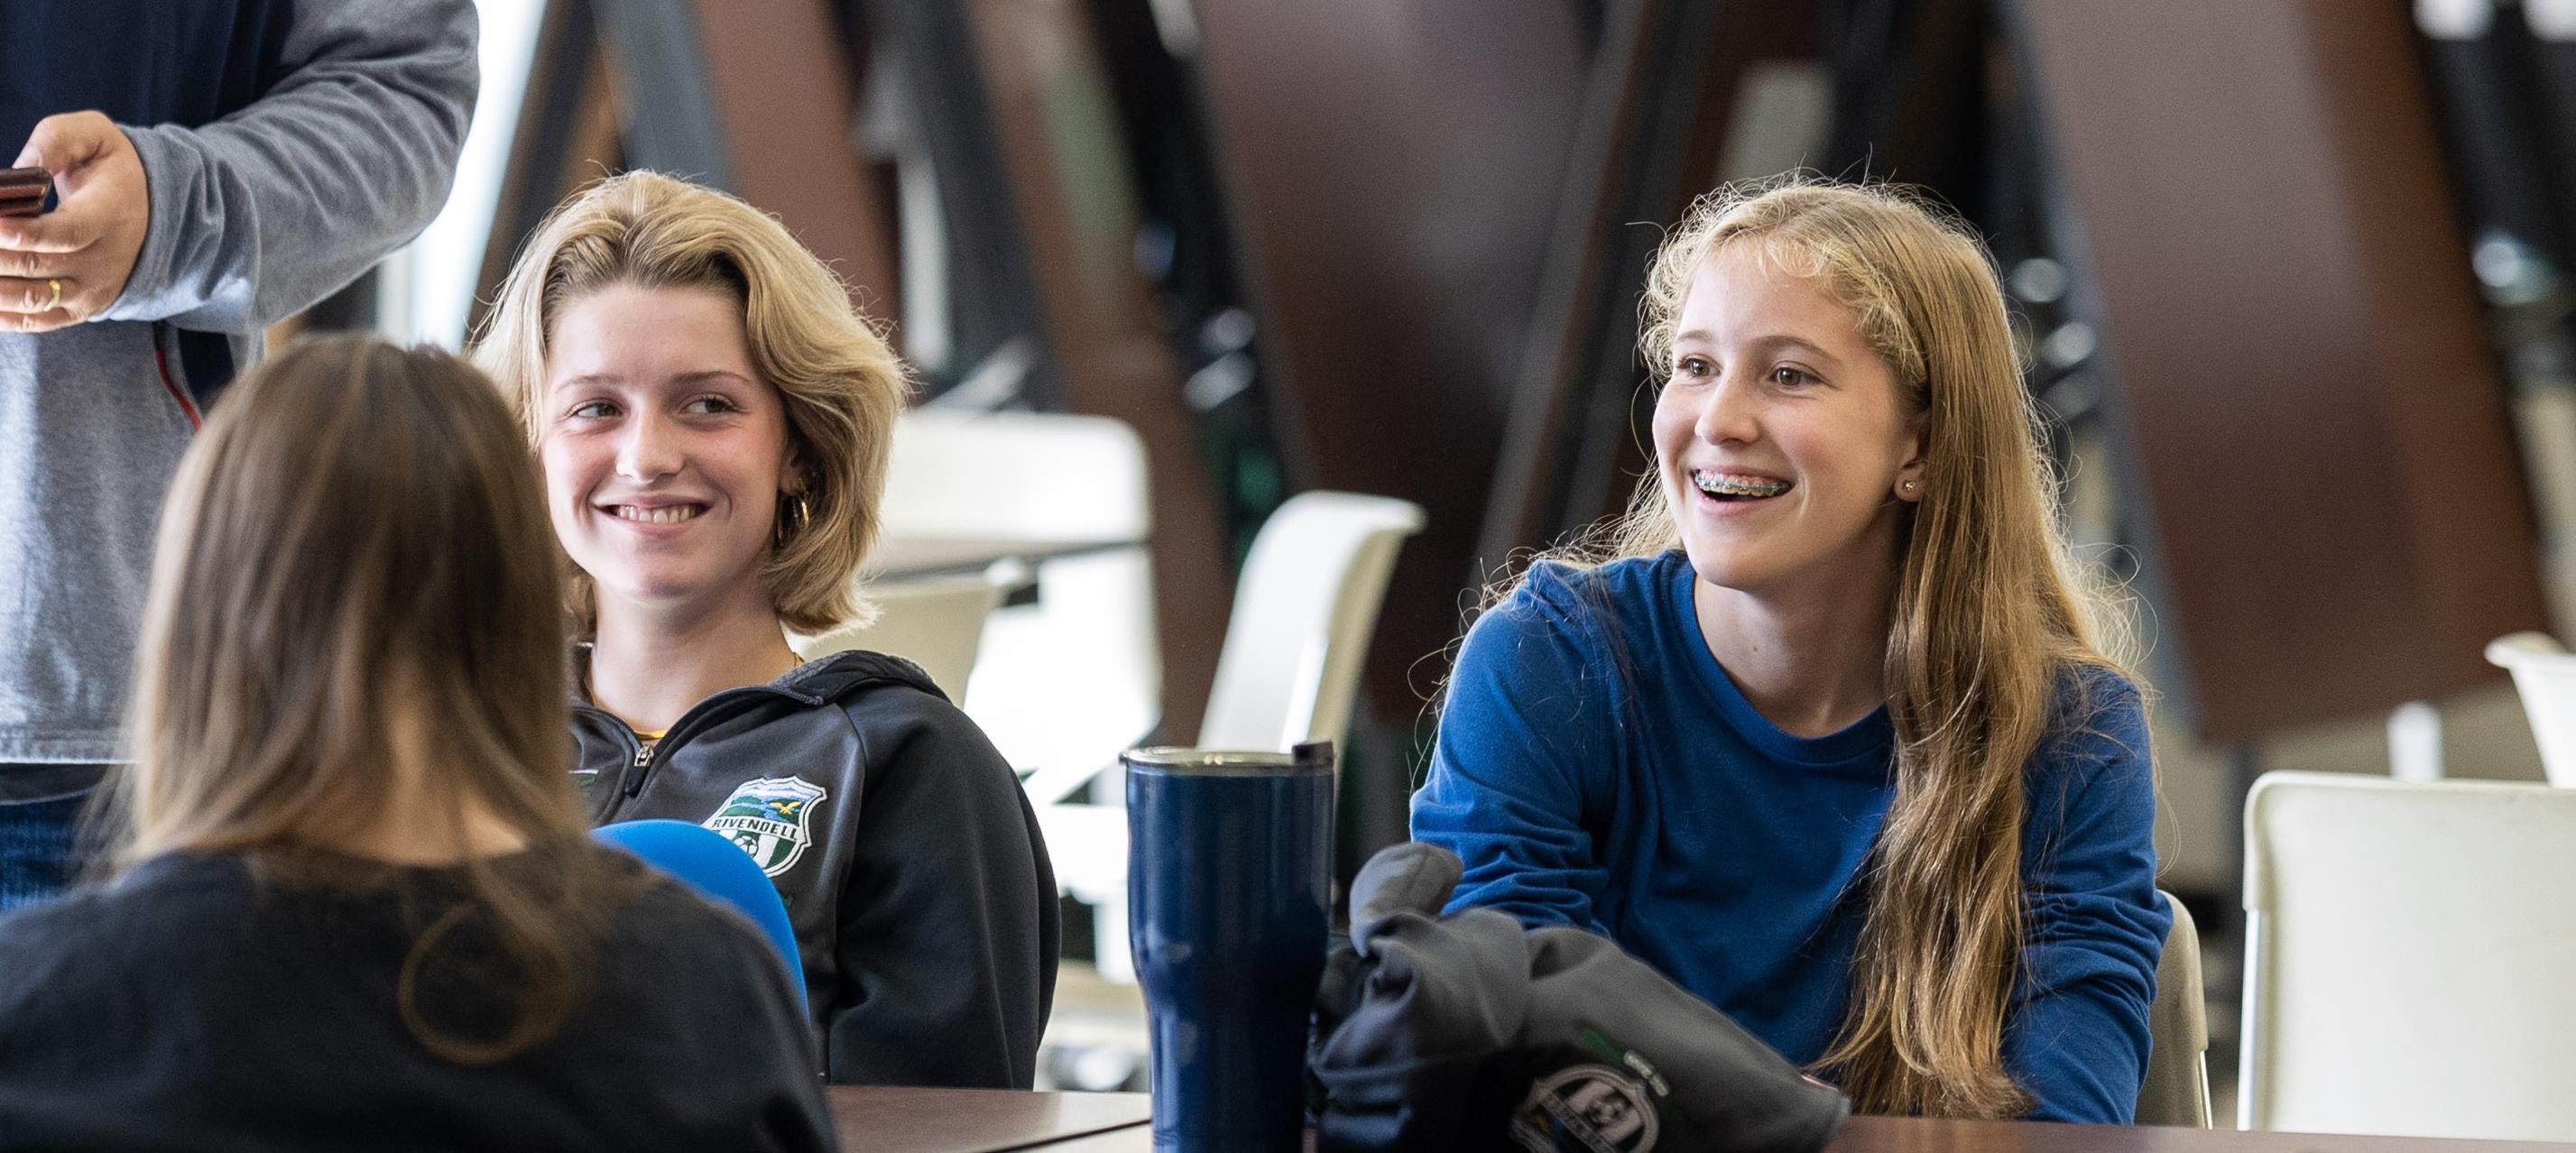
{"points": [[220, 166]]}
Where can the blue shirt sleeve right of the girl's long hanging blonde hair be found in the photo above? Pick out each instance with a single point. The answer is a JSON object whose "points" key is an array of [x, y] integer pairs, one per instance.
{"points": [[2096, 928]]}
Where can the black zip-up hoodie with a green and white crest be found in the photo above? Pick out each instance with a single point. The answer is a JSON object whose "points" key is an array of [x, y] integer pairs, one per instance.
{"points": [[900, 840]]}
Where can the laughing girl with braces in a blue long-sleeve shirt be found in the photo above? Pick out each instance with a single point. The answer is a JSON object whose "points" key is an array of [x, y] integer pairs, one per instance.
{"points": [[1823, 730]]}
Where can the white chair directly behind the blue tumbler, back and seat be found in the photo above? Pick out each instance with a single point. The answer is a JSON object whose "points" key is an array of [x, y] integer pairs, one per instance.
{"points": [[1289, 673]]}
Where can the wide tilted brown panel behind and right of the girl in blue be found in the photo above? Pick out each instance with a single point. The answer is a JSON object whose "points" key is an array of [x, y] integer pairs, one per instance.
{"points": [[2299, 346]]}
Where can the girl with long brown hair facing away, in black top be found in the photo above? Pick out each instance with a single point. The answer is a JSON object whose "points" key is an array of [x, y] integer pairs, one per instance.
{"points": [[359, 905]]}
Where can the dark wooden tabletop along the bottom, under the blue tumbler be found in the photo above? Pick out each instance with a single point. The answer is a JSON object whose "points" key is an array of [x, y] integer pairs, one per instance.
{"points": [[972, 1121]]}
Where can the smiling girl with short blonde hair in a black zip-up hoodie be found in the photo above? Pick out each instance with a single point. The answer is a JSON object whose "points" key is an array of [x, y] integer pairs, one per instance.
{"points": [[712, 418]]}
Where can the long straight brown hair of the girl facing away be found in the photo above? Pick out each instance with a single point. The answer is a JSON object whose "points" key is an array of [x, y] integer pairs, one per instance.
{"points": [[354, 560]]}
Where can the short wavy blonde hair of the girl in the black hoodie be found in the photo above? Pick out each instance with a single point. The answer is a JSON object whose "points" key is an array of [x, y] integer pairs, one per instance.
{"points": [[841, 382]]}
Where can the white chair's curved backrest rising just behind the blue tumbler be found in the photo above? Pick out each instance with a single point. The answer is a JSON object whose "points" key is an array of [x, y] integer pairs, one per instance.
{"points": [[1302, 619]]}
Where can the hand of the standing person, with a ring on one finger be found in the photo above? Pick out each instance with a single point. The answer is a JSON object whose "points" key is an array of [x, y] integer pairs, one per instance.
{"points": [[71, 264]]}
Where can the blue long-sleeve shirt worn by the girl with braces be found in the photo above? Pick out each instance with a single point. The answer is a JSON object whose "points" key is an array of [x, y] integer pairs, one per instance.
{"points": [[1598, 768]]}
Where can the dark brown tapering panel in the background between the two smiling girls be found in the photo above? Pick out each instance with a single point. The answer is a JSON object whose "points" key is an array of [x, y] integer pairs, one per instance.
{"points": [[1392, 171]]}
